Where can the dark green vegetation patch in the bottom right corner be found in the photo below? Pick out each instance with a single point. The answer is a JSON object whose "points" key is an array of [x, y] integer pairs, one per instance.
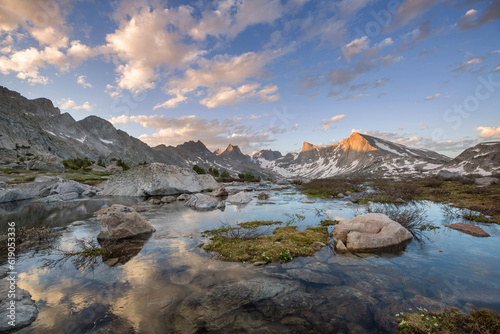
{"points": [[450, 322]]}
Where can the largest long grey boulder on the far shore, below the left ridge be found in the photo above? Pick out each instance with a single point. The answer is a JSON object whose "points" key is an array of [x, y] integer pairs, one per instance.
{"points": [[158, 180]]}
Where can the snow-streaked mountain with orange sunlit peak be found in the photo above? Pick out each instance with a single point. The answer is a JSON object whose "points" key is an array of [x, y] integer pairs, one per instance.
{"points": [[359, 154]]}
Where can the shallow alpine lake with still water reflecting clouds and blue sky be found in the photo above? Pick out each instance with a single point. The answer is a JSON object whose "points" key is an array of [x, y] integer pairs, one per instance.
{"points": [[173, 285]]}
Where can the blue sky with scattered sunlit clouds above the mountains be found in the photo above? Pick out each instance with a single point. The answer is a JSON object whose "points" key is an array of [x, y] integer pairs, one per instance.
{"points": [[264, 74]]}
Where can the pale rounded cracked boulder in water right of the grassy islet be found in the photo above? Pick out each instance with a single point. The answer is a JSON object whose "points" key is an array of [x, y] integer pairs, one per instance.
{"points": [[370, 232]]}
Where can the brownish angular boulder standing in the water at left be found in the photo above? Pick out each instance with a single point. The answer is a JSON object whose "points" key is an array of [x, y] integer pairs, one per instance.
{"points": [[121, 222]]}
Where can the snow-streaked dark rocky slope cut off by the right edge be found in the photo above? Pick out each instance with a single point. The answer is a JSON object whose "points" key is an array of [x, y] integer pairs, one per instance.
{"points": [[482, 159]]}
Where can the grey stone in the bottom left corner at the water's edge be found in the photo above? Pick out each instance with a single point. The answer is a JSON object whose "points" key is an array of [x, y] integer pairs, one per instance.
{"points": [[26, 309]]}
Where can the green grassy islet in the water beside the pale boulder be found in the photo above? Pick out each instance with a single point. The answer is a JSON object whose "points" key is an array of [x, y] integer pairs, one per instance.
{"points": [[285, 244]]}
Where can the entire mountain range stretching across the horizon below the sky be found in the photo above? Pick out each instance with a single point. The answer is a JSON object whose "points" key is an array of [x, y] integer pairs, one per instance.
{"points": [[36, 128]]}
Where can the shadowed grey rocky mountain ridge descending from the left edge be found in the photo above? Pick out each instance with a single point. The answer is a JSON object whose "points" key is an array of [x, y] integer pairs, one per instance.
{"points": [[35, 128]]}
